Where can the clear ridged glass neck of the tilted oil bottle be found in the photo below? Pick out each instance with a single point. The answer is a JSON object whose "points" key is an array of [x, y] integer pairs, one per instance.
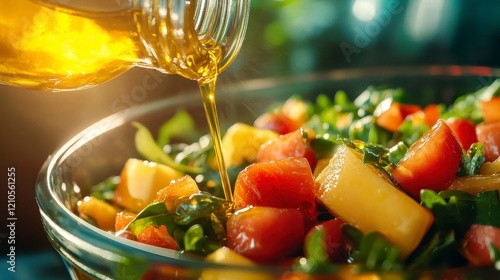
{"points": [[191, 37]]}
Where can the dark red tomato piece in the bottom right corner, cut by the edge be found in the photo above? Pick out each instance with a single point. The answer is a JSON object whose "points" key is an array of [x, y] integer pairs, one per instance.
{"points": [[476, 241]]}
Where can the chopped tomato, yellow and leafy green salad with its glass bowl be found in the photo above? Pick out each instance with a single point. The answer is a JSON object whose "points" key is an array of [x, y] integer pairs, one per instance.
{"points": [[326, 184]]}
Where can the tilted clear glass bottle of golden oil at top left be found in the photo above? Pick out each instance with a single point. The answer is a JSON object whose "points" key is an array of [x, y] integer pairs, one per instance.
{"points": [[57, 45]]}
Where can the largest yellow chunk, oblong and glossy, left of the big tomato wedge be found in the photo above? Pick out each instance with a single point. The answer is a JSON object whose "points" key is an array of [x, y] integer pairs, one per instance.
{"points": [[363, 196]]}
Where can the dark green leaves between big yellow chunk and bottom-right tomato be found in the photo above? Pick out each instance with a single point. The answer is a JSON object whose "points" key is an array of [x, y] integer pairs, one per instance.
{"points": [[454, 213]]}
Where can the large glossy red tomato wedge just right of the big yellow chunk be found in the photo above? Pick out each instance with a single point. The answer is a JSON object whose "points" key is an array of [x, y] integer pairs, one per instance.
{"points": [[431, 162]]}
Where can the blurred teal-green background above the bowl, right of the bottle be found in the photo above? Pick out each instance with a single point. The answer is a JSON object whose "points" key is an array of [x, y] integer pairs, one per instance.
{"points": [[301, 36]]}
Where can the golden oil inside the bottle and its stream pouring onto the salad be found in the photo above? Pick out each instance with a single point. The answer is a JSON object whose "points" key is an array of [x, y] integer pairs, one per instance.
{"points": [[50, 49]]}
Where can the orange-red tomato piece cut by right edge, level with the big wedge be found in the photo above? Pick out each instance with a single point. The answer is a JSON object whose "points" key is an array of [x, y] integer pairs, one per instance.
{"points": [[489, 136]]}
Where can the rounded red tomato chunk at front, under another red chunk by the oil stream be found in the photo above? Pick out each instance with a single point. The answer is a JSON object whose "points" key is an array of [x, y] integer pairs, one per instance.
{"points": [[266, 234]]}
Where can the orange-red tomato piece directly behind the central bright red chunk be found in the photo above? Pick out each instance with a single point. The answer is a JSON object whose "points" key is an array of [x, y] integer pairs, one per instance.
{"points": [[291, 144]]}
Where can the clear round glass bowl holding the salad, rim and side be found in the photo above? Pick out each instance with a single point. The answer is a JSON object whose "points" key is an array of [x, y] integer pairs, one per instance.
{"points": [[102, 149]]}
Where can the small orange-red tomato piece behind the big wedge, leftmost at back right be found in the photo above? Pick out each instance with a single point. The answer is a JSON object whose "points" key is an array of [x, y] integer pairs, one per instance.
{"points": [[392, 118]]}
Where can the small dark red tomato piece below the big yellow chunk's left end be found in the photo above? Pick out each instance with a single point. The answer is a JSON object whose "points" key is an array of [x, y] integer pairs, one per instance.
{"points": [[335, 243]]}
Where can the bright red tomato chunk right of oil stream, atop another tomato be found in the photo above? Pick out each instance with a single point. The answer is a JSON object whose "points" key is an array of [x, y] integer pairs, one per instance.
{"points": [[286, 183]]}
